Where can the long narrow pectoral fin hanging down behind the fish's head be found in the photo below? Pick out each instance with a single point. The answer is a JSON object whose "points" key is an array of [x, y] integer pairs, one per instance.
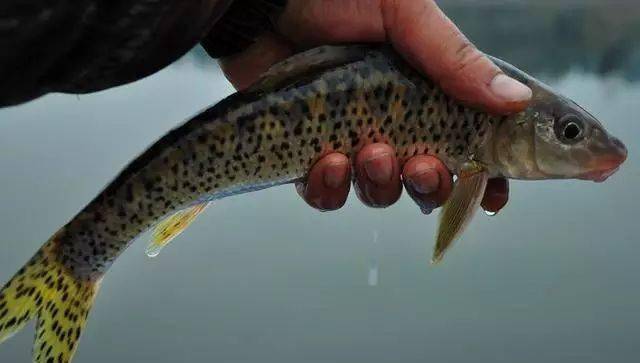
{"points": [[460, 208]]}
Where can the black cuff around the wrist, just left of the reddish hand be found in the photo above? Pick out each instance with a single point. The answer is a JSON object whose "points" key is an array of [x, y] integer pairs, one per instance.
{"points": [[243, 22]]}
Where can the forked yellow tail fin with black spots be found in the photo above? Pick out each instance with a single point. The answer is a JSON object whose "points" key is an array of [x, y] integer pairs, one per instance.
{"points": [[44, 288]]}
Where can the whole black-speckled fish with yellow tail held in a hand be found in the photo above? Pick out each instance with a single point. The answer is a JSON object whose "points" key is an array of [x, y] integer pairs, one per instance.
{"points": [[324, 100]]}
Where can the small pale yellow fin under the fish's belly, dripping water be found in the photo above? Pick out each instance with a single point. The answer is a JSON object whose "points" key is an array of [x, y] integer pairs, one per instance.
{"points": [[170, 228]]}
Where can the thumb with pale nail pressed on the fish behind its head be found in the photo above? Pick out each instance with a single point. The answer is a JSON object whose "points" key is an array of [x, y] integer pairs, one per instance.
{"points": [[432, 42]]}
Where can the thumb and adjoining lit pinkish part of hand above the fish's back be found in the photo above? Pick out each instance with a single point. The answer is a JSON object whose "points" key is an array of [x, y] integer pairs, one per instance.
{"points": [[422, 33]]}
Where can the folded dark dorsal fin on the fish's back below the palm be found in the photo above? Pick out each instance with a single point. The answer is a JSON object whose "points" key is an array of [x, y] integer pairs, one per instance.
{"points": [[308, 63]]}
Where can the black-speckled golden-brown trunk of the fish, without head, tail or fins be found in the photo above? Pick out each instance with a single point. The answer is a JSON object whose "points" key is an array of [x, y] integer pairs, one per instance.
{"points": [[259, 139]]}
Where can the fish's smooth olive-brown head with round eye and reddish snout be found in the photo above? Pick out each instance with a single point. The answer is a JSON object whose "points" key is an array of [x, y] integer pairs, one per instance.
{"points": [[554, 138]]}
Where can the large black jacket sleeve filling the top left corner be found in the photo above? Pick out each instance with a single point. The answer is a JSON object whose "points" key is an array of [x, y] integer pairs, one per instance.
{"points": [[90, 45]]}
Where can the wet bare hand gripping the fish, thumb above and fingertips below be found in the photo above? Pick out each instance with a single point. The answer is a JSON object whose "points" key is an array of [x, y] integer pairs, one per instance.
{"points": [[423, 34]]}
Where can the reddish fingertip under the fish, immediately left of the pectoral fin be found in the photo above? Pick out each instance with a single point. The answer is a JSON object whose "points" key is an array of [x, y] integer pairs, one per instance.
{"points": [[427, 181]]}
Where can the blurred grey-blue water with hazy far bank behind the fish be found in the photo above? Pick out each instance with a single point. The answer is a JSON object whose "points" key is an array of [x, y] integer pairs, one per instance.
{"points": [[264, 278]]}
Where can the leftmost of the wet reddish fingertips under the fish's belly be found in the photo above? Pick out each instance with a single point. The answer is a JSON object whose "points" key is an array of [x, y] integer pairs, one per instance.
{"points": [[327, 185]]}
